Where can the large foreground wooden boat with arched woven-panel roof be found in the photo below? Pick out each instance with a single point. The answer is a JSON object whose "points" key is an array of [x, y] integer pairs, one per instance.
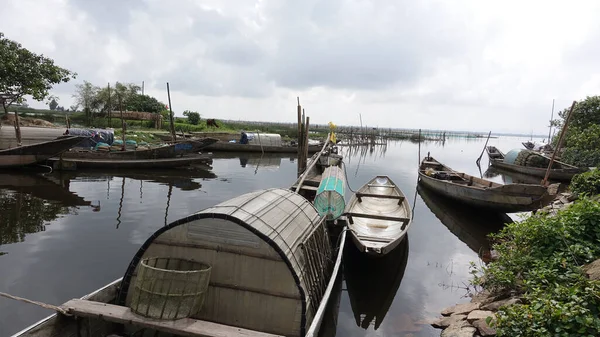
{"points": [[268, 276]]}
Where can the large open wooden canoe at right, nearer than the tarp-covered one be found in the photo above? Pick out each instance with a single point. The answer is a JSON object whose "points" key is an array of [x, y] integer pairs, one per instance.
{"points": [[480, 192]]}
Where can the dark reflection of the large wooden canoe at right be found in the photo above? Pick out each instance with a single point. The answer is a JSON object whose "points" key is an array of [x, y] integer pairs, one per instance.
{"points": [[471, 225]]}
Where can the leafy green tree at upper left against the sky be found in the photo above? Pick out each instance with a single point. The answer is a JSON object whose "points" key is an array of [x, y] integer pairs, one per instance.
{"points": [[25, 73]]}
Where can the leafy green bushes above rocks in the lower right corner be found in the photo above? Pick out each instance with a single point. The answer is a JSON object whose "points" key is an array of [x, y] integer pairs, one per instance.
{"points": [[541, 259]]}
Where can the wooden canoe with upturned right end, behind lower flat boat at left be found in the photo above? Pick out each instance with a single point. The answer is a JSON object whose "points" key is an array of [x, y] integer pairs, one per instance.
{"points": [[179, 148]]}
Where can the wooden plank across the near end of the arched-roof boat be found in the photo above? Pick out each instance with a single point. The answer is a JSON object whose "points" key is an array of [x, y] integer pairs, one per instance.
{"points": [[183, 327]]}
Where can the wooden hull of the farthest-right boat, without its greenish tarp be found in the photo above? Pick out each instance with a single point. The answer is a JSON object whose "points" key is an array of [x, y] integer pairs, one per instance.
{"points": [[565, 173]]}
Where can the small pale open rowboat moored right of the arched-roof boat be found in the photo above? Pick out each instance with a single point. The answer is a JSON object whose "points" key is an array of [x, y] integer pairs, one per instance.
{"points": [[378, 216]]}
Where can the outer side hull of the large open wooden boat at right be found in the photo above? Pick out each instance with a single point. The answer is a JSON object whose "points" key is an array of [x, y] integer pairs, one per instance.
{"points": [[488, 199]]}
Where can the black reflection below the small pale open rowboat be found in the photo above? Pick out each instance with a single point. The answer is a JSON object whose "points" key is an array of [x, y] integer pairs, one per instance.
{"points": [[372, 282]]}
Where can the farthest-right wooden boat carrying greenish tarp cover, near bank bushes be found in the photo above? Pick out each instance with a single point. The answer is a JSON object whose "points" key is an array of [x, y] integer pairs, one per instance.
{"points": [[510, 161]]}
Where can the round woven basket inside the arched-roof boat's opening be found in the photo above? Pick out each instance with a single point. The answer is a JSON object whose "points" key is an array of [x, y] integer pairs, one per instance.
{"points": [[170, 288]]}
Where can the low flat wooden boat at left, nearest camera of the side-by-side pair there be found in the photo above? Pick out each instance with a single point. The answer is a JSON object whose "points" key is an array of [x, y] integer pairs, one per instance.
{"points": [[72, 164]]}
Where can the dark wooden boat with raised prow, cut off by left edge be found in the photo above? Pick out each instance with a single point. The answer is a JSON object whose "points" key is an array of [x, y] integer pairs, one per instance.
{"points": [[36, 153]]}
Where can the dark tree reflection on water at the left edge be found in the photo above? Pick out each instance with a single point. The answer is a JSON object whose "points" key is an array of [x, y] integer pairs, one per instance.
{"points": [[28, 202]]}
